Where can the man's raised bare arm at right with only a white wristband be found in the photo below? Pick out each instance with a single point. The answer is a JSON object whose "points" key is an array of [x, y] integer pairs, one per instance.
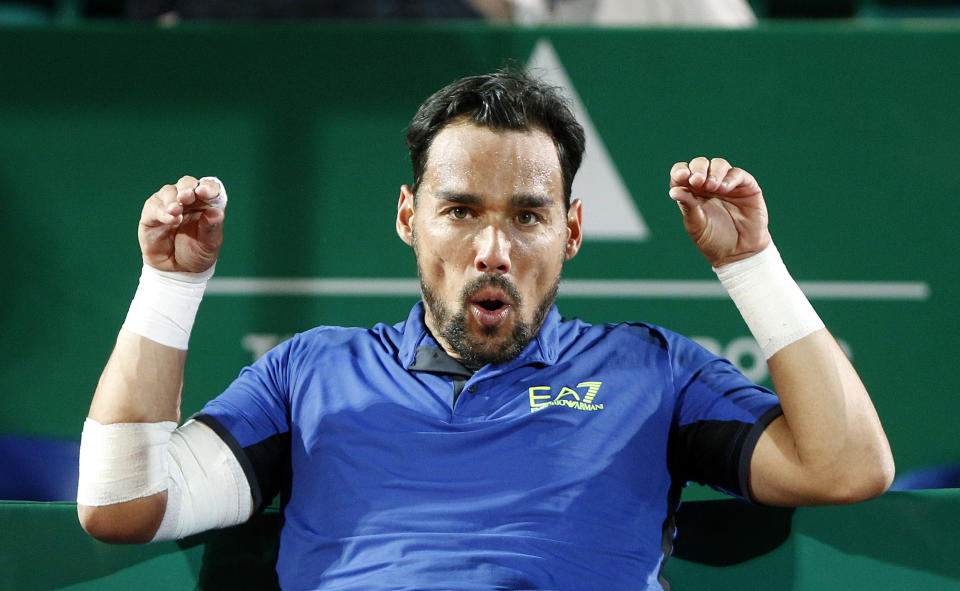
{"points": [[829, 445]]}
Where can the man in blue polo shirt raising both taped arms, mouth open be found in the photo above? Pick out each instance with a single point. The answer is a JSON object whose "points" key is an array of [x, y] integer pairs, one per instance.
{"points": [[484, 442]]}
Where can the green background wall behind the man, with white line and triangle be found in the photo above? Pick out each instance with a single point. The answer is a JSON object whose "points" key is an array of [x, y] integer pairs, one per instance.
{"points": [[852, 132]]}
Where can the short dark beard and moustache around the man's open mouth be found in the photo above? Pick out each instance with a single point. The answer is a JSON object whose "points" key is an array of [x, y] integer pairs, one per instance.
{"points": [[477, 352]]}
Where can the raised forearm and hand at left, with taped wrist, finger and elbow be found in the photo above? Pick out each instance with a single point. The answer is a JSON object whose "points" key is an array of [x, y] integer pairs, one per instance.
{"points": [[138, 396]]}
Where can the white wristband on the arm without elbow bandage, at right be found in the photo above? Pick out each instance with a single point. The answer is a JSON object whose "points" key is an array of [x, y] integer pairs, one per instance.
{"points": [[770, 301]]}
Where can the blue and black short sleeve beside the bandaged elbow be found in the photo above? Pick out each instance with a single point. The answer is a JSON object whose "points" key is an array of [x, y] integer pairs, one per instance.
{"points": [[252, 416]]}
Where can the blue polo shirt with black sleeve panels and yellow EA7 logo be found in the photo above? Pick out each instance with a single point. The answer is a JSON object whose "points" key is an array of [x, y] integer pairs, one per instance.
{"points": [[560, 469]]}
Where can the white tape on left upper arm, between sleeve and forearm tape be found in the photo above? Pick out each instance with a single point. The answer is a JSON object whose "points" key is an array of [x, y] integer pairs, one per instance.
{"points": [[207, 486]]}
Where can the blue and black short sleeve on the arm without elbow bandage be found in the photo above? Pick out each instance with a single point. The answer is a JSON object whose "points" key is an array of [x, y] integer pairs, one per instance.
{"points": [[717, 421]]}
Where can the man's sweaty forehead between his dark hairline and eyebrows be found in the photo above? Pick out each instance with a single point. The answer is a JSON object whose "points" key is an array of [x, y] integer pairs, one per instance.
{"points": [[464, 155]]}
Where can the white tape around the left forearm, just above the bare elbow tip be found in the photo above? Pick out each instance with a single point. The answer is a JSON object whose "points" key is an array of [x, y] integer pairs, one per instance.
{"points": [[122, 461]]}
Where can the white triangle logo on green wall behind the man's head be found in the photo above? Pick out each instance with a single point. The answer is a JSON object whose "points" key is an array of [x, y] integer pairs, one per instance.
{"points": [[609, 211]]}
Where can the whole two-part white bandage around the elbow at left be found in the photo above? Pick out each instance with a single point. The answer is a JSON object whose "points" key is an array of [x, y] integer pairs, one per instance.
{"points": [[206, 486]]}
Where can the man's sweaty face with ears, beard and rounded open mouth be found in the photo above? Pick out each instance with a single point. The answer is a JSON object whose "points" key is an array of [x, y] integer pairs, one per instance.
{"points": [[491, 234]]}
